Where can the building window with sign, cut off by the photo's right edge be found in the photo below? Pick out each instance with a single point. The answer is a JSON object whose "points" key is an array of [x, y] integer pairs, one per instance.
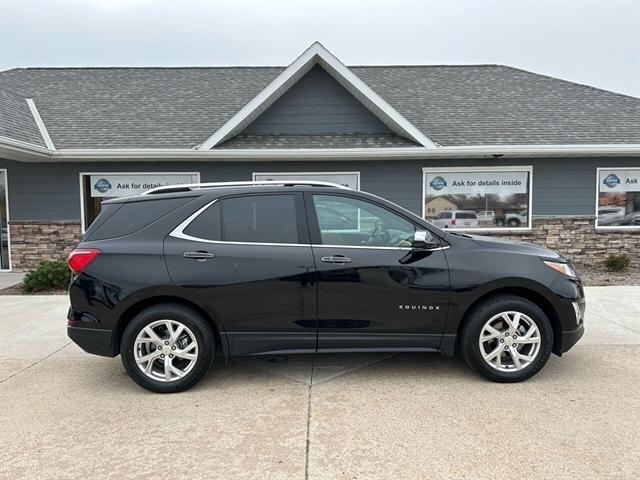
{"points": [[618, 204]]}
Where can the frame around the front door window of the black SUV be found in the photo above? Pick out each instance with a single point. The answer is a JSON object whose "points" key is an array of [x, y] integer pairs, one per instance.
{"points": [[314, 225]]}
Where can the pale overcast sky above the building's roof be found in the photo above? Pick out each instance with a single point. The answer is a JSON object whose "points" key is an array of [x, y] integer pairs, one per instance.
{"points": [[591, 42]]}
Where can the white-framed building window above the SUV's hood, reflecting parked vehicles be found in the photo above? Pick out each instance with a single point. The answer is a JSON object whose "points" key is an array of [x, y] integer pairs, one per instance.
{"points": [[487, 198]]}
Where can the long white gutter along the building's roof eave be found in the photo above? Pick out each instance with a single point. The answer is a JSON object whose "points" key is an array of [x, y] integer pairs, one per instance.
{"points": [[26, 152]]}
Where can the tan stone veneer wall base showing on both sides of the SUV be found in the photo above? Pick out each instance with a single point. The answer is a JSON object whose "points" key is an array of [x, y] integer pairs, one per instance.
{"points": [[575, 237]]}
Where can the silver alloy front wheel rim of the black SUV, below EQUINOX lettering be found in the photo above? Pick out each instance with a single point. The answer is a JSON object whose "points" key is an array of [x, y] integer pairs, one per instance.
{"points": [[509, 341]]}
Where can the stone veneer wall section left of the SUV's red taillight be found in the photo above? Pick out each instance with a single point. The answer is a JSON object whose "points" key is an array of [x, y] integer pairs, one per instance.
{"points": [[33, 242]]}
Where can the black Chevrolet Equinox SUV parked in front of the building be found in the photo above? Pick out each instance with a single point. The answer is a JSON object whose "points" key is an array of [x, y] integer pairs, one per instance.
{"points": [[172, 277]]}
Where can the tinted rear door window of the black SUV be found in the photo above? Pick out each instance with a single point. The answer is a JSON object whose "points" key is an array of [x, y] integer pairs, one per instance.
{"points": [[260, 218]]}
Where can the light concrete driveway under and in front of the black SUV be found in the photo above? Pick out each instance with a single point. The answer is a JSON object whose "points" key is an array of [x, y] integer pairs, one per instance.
{"points": [[66, 414]]}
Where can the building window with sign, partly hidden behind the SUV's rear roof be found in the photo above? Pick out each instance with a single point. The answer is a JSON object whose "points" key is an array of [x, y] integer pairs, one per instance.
{"points": [[96, 187]]}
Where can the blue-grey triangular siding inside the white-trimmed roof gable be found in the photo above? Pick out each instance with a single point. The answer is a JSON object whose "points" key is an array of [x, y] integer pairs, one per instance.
{"points": [[317, 104]]}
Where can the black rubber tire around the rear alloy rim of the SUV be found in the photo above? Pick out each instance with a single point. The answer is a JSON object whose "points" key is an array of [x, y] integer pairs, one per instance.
{"points": [[193, 320]]}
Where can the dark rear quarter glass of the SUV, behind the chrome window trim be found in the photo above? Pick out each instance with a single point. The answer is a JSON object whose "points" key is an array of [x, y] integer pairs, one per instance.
{"points": [[132, 216]]}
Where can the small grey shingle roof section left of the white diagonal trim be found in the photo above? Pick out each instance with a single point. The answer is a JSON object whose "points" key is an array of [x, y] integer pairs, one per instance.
{"points": [[16, 120]]}
